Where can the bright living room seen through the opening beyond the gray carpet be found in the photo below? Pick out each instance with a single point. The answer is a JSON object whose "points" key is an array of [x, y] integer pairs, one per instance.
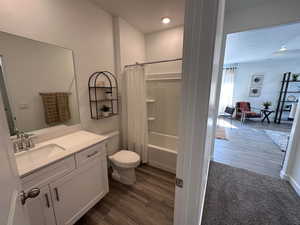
{"points": [[259, 97]]}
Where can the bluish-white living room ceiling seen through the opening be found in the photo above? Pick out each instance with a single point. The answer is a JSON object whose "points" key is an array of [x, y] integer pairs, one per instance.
{"points": [[263, 44]]}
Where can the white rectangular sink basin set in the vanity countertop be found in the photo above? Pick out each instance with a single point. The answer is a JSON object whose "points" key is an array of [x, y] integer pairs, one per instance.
{"points": [[38, 156]]}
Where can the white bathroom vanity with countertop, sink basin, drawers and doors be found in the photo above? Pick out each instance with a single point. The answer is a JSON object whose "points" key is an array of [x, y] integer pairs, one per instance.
{"points": [[71, 173]]}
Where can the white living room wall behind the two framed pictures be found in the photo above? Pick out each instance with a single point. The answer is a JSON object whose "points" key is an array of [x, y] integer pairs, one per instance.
{"points": [[273, 74]]}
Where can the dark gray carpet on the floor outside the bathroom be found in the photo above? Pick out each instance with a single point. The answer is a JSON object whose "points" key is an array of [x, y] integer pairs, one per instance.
{"points": [[240, 197]]}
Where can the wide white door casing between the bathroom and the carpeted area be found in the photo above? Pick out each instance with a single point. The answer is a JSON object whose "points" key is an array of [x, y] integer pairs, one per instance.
{"points": [[201, 60]]}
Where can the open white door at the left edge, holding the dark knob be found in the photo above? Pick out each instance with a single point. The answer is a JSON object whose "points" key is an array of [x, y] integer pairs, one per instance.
{"points": [[12, 211]]}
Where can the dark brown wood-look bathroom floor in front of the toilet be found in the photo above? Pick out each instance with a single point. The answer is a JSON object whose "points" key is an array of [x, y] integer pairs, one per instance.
{"points": [[150, 201]]}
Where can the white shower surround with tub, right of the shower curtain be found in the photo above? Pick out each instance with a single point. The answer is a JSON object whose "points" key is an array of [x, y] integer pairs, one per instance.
{"points": [[165, 90]]}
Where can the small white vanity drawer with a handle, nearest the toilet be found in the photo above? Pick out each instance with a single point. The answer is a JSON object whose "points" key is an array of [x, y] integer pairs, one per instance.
{"points": [[90, 153]]}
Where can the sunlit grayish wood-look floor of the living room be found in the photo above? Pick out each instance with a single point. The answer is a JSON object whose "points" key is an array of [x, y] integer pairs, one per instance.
{"points": [[248, 147]]}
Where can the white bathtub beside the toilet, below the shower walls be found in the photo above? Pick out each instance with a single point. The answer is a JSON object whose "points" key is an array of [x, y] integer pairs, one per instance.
{"points": [[162, 151]]}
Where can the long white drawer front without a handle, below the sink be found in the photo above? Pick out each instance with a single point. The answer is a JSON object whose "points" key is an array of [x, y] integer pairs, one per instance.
{"points": [[48, 173]]}
